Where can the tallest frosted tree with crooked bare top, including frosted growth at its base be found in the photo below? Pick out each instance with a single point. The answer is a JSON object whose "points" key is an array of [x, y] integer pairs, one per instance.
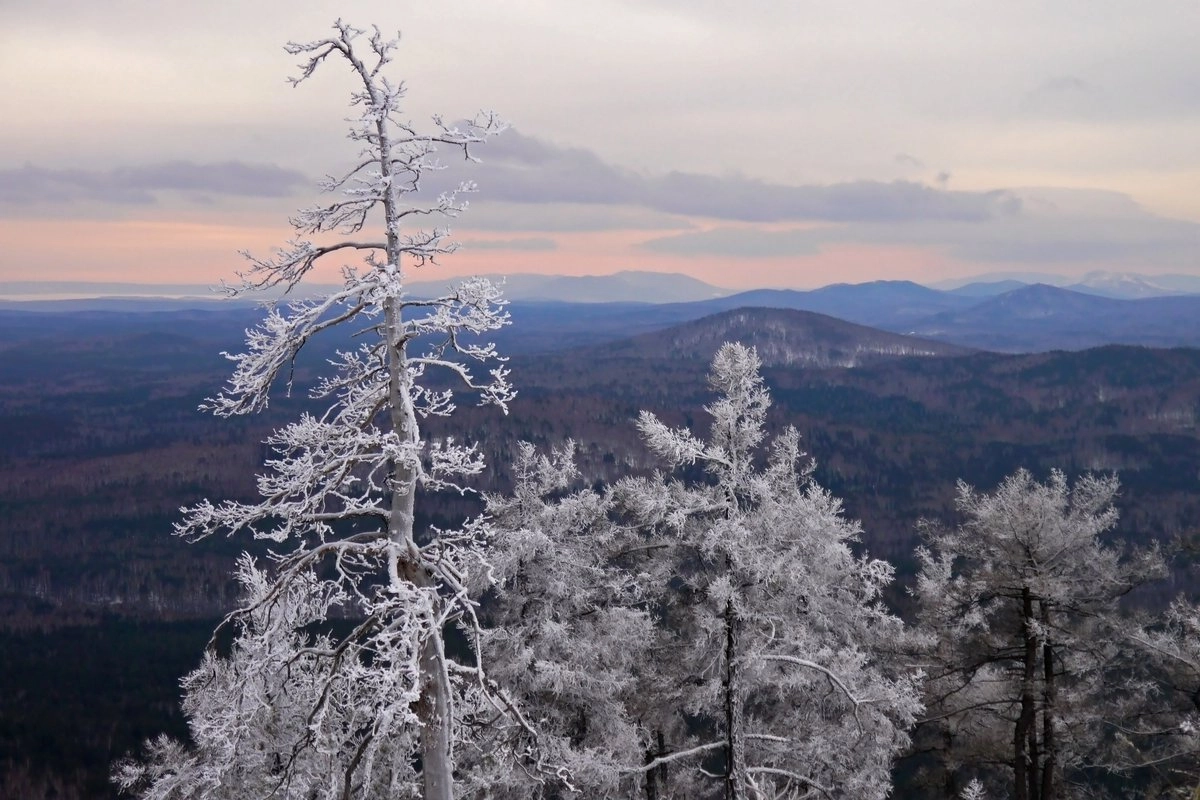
{"points": [[374, 705]]}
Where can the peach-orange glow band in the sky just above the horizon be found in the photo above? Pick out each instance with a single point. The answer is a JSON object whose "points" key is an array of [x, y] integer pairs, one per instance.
{"points": [[157, 251]]}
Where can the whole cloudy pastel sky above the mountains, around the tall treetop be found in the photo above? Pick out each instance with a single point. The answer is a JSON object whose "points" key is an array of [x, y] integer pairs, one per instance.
{"points": [[747, 143]]}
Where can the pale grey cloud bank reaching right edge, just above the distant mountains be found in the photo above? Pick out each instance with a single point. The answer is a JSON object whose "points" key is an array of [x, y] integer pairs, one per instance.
{"points": [[1055, 227]]}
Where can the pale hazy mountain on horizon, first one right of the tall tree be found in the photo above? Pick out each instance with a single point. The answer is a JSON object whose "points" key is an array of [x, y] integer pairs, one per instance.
{"points": [[621, 287]]}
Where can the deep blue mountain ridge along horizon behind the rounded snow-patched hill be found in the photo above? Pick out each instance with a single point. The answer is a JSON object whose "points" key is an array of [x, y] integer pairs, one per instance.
{"points": [[1024, 320]]}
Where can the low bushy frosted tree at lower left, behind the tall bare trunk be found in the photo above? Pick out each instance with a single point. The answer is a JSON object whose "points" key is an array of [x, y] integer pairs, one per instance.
{"points": [[251, 717]]}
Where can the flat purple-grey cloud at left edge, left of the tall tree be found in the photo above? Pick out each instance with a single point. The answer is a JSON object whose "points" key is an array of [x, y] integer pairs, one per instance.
{"points": [[32, 185]]}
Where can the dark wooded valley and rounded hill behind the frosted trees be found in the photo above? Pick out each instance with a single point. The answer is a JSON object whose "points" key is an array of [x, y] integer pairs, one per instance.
{"points": [[101, 444]]}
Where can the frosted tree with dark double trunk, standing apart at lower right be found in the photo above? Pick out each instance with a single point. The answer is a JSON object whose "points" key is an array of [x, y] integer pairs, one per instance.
{"points": [[1022, 601]]}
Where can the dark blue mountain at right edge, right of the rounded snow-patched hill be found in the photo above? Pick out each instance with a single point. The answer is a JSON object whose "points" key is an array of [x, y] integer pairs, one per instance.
{"points": [[1048, 318]]}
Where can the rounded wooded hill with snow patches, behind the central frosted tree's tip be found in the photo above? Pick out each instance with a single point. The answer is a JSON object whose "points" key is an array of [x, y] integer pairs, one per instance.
{"points": [[783, 338]]}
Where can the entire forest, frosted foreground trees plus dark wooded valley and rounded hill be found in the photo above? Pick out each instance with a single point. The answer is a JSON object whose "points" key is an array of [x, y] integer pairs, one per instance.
{"points": [[764, 555]]}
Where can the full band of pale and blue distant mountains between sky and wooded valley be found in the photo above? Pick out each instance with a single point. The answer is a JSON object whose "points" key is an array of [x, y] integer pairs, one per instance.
{"points": [[551, 312]]}
